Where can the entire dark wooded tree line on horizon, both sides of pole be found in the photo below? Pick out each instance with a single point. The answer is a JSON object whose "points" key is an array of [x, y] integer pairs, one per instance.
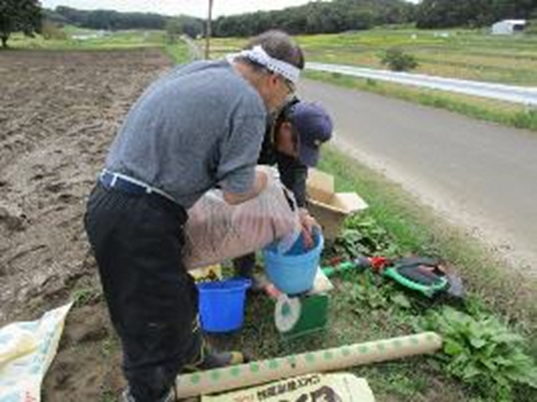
{"points": [[313, 18]]}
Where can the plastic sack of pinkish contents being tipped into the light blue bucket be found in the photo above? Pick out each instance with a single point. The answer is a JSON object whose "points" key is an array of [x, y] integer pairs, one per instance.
{"points": [[216, 231]]}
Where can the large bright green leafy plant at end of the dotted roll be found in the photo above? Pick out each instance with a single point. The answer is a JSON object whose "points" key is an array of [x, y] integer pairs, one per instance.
{"points": [[483, 352]]}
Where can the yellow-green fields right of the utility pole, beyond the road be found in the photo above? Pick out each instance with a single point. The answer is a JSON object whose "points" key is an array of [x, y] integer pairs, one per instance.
{"points": [[466, 54]]}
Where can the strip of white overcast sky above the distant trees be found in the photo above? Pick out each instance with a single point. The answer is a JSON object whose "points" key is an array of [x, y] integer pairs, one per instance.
{"points": [[196, 8]]}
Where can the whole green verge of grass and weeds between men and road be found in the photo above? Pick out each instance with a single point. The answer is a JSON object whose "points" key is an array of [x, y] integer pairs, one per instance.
{"points": [[499, 308]]}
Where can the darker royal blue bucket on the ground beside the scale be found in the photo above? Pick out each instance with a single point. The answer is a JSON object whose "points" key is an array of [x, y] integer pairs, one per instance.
{"points": [[221, 304]]}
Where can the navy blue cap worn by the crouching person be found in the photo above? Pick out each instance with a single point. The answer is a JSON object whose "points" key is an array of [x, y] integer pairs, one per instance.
{"points": [[314, 127]]}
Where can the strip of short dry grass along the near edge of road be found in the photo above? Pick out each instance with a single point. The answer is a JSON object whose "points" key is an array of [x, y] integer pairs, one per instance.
{"points": [[416, 229]]}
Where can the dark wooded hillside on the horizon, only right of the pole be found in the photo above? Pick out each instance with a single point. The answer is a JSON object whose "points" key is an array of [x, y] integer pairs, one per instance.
{"points": [[345, 15]]}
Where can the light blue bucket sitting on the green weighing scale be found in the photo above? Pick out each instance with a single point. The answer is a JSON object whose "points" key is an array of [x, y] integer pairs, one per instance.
{"points": [[294, 271]]}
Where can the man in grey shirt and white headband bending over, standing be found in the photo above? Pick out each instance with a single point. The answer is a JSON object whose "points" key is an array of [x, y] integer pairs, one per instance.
{"points": [[199, 127]]}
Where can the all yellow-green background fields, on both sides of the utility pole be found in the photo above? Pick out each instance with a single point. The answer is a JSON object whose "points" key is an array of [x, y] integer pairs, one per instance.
{"points": [[467, 54]]}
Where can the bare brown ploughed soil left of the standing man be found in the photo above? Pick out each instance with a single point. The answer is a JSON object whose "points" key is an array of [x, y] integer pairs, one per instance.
{"points": [[58, 114]]}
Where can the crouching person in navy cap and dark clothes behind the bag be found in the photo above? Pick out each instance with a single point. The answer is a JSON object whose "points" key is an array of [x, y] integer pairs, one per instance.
{"points": [[292, 143]]}
